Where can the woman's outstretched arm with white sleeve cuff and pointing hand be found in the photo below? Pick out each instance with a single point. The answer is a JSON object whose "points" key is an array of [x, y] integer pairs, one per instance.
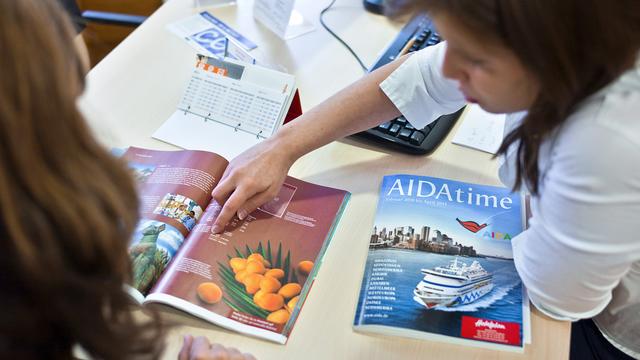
{"points": [[412, 85]]}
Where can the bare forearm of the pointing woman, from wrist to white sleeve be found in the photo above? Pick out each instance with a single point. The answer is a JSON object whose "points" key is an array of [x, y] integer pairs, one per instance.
{"points": [[358, 107]]}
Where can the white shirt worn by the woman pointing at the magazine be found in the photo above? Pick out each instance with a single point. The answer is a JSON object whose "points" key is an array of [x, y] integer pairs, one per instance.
{"points": [[580, 256]]}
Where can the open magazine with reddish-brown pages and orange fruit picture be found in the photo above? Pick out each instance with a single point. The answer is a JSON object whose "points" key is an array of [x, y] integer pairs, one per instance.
{"points": [[254, 277]]}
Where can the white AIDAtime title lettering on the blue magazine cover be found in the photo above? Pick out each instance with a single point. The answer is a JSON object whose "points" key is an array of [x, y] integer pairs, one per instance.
{"points": [[427, 189]]}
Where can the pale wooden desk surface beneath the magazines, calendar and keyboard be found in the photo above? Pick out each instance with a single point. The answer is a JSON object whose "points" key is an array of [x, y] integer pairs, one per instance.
{"points": [[136, 88]]}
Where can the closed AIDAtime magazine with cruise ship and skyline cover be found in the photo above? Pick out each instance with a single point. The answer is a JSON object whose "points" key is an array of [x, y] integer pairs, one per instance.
{"points": [[440, 264]]}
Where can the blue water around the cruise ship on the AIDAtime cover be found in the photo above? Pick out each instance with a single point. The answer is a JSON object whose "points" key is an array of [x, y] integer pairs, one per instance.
{"points": [[502, 303]]}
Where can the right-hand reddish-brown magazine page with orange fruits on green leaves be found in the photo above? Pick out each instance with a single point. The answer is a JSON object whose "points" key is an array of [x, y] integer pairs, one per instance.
{"points": [[254, 277]]}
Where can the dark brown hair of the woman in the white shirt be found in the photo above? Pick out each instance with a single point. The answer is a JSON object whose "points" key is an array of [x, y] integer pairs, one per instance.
{"points": [[573, 47]]}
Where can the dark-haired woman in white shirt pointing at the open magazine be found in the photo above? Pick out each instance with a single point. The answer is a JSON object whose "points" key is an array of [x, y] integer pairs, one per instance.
{"points": [[568, 73]]}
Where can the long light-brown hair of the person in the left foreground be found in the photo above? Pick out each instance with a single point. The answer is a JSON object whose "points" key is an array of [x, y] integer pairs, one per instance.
{"points": [[67, 208]]}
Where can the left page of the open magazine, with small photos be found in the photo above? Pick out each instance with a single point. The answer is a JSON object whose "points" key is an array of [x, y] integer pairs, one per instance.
{"points": [[174, 188]]}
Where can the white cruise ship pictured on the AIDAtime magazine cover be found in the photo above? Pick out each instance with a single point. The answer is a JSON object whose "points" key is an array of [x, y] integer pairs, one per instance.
{"points": [[452, 285]]}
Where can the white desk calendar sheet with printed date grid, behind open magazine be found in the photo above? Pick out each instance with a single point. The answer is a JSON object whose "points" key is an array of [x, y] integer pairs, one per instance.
{"points": [[228, 107]]}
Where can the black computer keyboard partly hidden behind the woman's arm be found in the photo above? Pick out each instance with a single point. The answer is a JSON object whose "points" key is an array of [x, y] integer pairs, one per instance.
{"points": [[397, 133]]}
